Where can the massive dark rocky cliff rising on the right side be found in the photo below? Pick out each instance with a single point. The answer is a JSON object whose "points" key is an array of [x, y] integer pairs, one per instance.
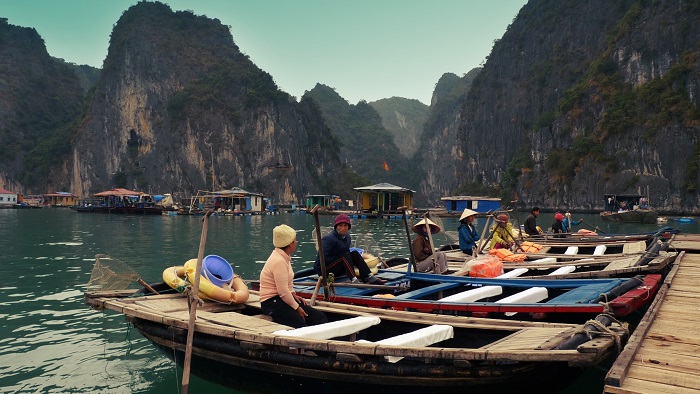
{"points": [[584, 98]]}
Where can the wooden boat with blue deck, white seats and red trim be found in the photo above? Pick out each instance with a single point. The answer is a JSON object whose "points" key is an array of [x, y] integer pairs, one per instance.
{"points": [[564, 300]]}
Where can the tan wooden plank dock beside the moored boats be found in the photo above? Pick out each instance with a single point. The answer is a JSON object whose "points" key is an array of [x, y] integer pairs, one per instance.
{"points": [[663, 353]]}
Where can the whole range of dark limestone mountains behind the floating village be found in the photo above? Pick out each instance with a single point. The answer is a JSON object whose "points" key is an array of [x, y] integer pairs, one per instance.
{"points": [[605, 100]]}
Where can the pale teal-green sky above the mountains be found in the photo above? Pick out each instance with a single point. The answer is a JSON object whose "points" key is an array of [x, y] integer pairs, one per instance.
{"points": [[364, 49]]}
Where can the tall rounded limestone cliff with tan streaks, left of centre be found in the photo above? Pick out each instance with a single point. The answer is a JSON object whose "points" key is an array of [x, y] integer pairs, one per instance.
{"points": [[180, 108]]}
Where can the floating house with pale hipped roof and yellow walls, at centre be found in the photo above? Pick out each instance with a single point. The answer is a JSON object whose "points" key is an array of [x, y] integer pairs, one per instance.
{"points": [[383, 198]]}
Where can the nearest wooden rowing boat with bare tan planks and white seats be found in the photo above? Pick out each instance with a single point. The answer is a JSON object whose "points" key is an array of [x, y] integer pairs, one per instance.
{"points": [[368, 350]]}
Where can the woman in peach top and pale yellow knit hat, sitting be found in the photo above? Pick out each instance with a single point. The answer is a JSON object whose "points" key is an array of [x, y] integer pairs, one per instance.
{"points": [[277, 297]]}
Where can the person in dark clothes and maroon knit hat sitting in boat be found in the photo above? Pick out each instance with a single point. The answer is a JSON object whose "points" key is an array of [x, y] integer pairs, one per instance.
{"points": [[338, 258]]}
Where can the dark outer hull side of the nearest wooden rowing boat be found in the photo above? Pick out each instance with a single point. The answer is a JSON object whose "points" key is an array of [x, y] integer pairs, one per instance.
{"points": [[214, 358]]}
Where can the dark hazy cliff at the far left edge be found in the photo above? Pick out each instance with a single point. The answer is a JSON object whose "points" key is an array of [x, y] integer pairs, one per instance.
{"points": [[40, 98]]}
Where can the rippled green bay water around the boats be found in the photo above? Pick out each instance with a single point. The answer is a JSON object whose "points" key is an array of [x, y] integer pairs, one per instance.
{"points": [[51, 342]]}
